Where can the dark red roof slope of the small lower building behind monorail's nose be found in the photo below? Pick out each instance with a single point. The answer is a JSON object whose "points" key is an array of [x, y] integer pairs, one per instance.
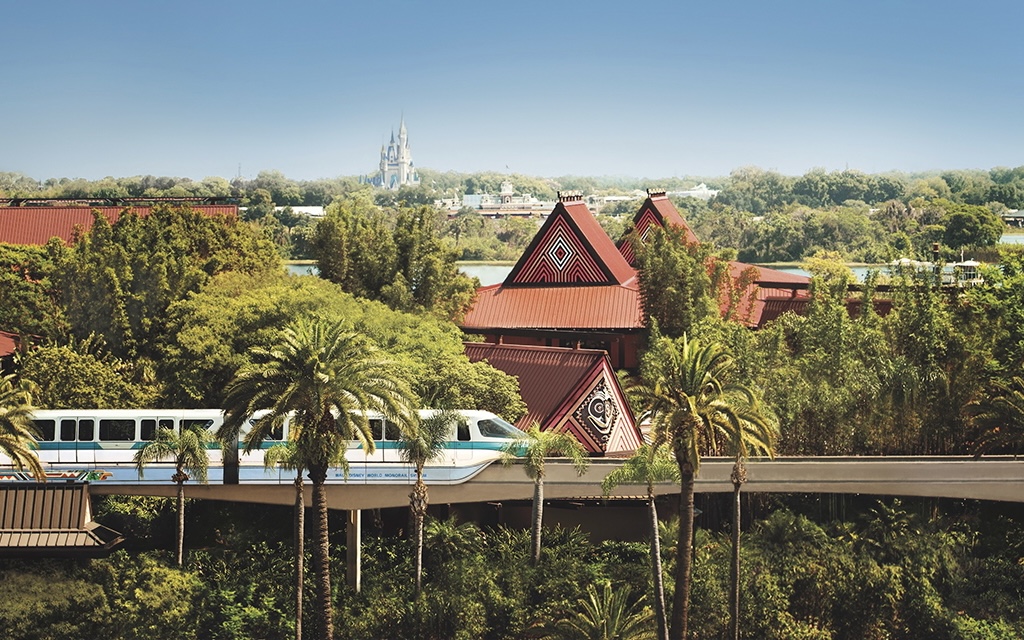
{"points": [[547, 375]]}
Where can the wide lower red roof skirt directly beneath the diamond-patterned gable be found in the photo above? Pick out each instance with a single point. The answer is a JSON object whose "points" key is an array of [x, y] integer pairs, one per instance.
{"points": [[565, 307]]}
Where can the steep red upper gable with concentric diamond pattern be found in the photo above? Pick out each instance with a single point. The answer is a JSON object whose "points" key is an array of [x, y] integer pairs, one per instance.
{"points": [[571, 249]]}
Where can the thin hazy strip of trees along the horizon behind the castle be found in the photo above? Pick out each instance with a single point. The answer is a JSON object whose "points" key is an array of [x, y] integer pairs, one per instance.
{"points": [[748, 189]]}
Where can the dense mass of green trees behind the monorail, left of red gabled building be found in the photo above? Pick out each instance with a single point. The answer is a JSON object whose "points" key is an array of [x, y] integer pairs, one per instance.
{"points": [[163, 311]]}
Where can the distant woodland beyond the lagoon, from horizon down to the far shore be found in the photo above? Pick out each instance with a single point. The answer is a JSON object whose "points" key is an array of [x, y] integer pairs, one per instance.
{"points": [[766, 217]]}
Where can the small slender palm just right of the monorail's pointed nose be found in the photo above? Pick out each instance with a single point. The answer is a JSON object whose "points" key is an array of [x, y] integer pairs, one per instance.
{"points": [[534, 450]]}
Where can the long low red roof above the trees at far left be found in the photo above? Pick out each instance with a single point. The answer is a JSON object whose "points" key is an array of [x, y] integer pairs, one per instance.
{"points": [[36, 226]]}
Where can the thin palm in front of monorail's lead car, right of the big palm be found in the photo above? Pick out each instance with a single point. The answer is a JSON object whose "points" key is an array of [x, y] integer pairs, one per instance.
{"points": [[424, 443]]}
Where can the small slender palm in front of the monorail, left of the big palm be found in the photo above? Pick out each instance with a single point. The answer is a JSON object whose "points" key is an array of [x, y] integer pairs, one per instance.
{"points": [[188, 450]]}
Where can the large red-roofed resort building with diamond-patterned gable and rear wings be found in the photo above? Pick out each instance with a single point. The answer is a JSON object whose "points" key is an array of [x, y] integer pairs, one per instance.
{"points": [[574, 287]]}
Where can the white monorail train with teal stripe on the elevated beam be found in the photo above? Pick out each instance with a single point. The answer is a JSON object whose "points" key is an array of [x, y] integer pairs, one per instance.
{"points": [[100, 445]]}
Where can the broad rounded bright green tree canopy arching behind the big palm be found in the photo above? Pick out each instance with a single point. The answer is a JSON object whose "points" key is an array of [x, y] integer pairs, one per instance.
{"points": [[211, 334]]}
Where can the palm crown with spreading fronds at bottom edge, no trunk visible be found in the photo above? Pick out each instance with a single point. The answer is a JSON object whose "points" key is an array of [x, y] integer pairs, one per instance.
{"points": [[606, 615]]}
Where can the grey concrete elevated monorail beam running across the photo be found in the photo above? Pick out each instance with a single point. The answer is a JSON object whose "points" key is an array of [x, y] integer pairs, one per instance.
{"points": [[1000, 479]]}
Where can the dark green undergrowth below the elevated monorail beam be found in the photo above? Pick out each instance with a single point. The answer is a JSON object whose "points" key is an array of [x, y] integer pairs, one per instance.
{"points": [[926, 570]]}
